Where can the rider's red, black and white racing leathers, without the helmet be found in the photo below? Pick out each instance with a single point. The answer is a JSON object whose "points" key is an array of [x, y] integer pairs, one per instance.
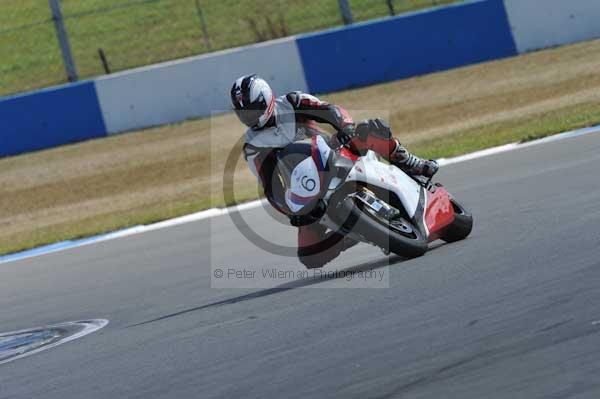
{"points": [[295, 118]]}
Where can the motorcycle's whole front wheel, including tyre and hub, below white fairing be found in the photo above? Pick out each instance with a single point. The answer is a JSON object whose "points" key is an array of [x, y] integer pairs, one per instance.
{"points": [[396, 235]]}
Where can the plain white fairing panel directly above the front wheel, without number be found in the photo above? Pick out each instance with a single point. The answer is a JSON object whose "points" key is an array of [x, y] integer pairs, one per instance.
{"points": [[374, 172]]}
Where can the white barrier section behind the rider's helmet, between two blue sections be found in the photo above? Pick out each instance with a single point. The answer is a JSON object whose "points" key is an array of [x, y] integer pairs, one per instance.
{"points": [[193, 87]]}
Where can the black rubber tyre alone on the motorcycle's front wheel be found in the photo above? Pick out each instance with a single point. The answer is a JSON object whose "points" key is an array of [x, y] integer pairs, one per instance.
{"points": [[379, 232]]}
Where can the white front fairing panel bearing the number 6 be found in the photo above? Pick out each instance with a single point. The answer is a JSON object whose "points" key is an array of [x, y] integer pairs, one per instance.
{"points": [[304, 186]]}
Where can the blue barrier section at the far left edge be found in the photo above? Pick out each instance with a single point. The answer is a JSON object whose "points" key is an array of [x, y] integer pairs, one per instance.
{"points": [[48, 118]]}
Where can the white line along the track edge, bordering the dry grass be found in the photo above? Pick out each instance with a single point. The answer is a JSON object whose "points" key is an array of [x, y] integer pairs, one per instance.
{"points": [[214, 212]]}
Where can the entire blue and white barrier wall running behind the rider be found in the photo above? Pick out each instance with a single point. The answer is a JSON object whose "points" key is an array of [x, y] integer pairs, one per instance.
{"points": [[336, 59]]}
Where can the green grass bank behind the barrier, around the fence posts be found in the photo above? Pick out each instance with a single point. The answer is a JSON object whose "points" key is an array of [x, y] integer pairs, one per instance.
{"points": [[140, 32]]}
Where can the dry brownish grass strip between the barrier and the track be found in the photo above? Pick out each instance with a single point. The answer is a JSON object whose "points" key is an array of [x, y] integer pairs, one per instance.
{"points": [[146, 176]]}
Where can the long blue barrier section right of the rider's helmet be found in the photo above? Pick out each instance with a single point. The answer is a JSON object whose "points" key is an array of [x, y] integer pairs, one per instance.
{"points": [[405, 46]]}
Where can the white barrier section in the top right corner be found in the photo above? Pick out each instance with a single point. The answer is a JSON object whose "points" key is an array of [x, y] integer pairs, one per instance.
{"points": [[538, 24]]}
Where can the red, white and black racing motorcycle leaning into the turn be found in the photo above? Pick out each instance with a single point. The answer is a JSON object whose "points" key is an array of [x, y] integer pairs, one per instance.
{"points": [[367, 199]]}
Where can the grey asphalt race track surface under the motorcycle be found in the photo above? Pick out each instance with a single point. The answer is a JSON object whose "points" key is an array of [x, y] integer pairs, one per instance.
{"points": [[512, 312]]}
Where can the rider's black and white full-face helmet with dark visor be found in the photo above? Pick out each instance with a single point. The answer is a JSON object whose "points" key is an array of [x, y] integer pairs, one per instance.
{"points": [[253, 101]]}
